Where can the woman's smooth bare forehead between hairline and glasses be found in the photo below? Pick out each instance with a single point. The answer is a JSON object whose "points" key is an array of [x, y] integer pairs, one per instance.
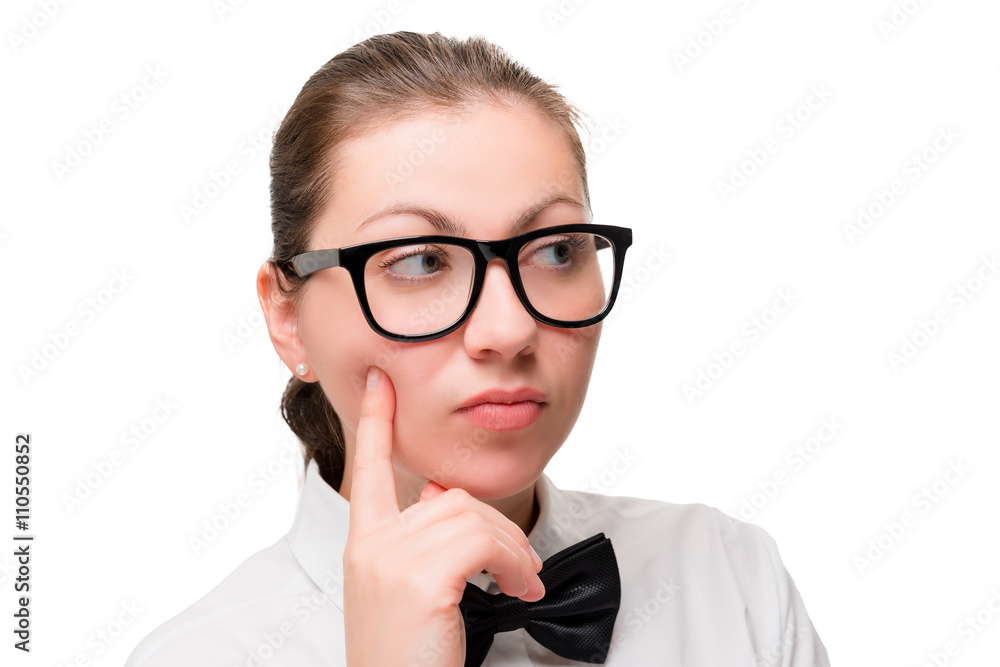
{"points": [[483, 170]]}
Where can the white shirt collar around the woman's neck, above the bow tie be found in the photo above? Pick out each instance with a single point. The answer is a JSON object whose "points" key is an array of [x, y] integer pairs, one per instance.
{"points": [[319, 532]]}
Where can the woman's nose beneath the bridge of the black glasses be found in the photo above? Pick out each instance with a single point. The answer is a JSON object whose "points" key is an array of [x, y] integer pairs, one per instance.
{"points": [[499, 326]]}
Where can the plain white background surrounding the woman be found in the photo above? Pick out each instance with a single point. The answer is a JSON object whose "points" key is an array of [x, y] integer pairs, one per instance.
{"points": [[672, 131]]}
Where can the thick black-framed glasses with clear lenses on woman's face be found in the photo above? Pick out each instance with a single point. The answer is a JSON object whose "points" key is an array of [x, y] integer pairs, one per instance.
{"points": [[418, 288]]}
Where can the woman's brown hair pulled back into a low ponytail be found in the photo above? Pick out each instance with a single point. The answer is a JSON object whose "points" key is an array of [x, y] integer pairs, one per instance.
{"points": [[384, 79]]}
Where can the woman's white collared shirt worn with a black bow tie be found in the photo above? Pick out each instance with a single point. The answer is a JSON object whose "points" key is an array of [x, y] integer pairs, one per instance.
{"points": [[698, 588]]}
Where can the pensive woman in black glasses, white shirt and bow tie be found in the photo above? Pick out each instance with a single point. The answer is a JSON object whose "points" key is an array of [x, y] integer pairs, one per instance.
{"points": [[434, 379]]}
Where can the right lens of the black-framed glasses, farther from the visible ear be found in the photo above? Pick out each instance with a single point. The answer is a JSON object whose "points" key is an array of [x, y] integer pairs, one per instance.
{"points": [[568, 276]]}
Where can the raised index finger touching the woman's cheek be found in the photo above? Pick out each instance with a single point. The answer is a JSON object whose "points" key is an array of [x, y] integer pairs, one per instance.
{"points": [[373, 483]]}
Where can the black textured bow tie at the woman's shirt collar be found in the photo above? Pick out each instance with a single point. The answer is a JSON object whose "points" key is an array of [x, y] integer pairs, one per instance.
{"points": [[575, 618]]}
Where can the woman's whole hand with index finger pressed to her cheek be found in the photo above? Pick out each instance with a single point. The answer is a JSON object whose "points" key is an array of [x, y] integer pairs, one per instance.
{"points": [[405, 572]]}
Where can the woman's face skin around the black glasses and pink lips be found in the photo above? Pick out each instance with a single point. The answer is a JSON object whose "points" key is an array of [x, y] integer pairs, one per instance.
{"points": [[481, 169]]}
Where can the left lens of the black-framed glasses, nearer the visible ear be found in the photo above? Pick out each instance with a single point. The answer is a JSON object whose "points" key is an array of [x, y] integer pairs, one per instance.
{"points": [[419, 289]]}
